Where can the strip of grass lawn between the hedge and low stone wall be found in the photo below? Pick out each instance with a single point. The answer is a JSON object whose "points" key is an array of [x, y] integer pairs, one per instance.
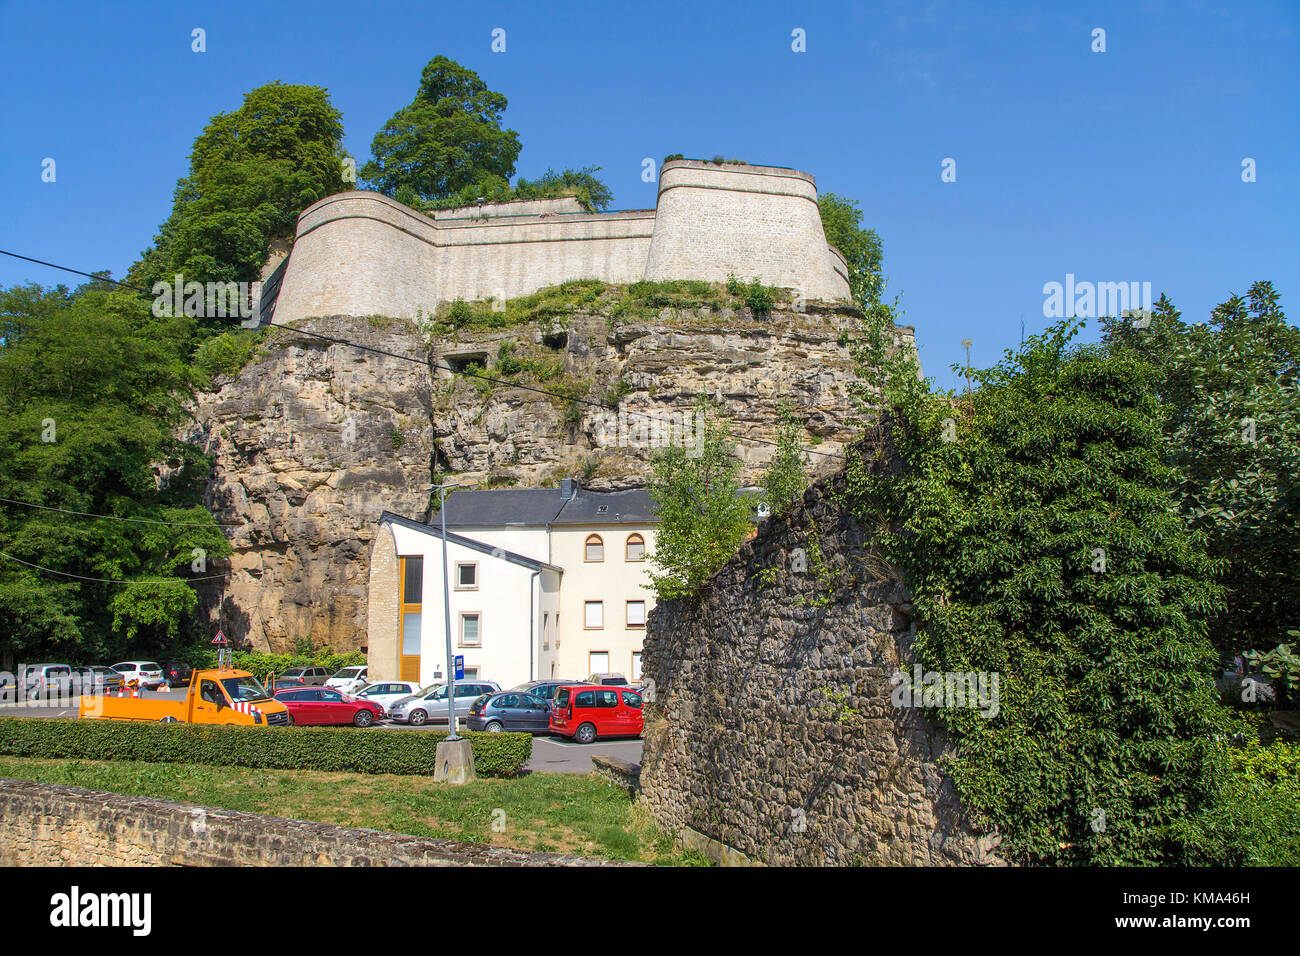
{"points": [[566, 814]]}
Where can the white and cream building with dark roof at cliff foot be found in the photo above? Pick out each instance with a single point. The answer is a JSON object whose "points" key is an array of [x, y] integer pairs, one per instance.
{"points": [[544, 585]]}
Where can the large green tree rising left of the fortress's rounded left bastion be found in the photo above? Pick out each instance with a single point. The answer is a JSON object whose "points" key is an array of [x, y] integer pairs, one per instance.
{"points": [[252, 174]]}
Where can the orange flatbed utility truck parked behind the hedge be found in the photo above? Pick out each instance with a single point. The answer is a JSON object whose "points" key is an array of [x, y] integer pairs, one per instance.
{"points": [[224, 697]]}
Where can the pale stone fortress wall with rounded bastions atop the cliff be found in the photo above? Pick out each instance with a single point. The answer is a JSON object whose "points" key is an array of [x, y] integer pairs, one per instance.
{"points": [[365, 254]]}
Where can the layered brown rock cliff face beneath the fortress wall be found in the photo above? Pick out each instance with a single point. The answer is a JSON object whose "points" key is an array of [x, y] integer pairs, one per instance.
{"points": [[314, 440]]}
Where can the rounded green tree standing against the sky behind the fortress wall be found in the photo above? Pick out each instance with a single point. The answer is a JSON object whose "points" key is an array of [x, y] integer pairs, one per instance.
{"points": [[448, 140]]}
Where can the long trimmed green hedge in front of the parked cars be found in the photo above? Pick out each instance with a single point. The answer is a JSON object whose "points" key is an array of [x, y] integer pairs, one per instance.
{"points": [[335, 750]]}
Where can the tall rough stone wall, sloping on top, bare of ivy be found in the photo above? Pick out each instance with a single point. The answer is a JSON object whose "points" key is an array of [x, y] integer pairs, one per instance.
{"points": [[773, 729]]}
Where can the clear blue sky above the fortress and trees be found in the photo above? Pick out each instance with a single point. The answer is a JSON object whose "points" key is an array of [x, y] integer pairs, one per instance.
{"points": [[1124, 166]]}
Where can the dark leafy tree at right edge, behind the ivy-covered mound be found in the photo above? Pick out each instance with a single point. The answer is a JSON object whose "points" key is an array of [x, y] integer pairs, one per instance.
{"points": [[1230, 414]]}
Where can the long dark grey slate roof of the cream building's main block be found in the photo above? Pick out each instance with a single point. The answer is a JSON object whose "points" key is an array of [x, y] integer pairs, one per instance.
{"points": [[536, 508]]}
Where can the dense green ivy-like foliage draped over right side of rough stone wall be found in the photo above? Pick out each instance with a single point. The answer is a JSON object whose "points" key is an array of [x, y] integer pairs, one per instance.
{"points": [[1034, 524]]}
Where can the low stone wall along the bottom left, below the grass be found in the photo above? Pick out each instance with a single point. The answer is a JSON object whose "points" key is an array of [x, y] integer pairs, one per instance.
{"points": [[45, 825]]}
